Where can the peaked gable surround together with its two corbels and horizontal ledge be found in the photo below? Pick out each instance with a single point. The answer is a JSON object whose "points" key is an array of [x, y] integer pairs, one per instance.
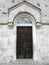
{"points": [[34, 10]]}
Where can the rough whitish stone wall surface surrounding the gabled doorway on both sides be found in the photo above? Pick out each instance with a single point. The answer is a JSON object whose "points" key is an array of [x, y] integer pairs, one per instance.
{"points": [[8, 36]]}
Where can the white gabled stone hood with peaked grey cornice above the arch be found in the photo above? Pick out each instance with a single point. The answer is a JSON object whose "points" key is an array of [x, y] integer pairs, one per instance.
{"points": [[26, 6]]}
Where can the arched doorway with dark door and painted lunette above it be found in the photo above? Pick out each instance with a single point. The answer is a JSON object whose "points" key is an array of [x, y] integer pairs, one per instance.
{"points": [[25, 35]]}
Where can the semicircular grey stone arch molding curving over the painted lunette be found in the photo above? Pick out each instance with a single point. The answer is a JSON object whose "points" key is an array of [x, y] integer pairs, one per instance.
{"points": [[24, 13]]}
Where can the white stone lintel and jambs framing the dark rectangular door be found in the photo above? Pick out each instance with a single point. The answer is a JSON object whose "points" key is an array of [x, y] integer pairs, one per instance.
{"points": [[33, 37]]}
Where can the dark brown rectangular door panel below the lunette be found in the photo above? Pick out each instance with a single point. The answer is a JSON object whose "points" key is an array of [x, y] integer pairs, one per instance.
{"points": [[24, 42]]}
